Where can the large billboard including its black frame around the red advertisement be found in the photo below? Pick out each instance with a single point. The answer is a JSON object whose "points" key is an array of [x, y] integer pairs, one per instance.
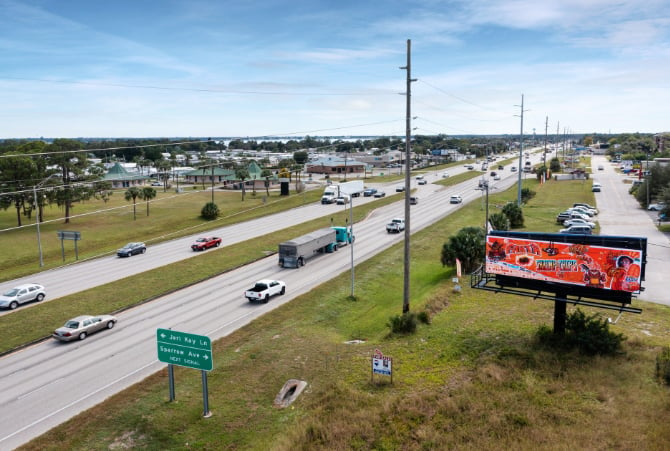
{"points": [[603, 267]]}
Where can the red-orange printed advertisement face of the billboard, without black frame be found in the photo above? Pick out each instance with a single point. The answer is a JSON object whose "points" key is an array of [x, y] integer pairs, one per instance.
{"points": [[586, 265]]}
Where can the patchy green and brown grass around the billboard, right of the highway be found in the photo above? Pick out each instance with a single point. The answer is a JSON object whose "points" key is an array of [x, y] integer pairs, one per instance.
{"points": [[475, 378]]}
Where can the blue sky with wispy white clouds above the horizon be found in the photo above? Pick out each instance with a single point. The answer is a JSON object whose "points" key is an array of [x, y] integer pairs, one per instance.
{"points": [[205, 68]]}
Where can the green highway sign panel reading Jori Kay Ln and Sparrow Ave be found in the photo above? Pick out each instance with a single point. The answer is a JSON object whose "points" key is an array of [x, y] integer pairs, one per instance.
{"points": [[184, 349]]}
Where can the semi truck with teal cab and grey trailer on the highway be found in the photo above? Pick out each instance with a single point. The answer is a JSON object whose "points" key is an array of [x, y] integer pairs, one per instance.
{"points": [[294, 253]]}
